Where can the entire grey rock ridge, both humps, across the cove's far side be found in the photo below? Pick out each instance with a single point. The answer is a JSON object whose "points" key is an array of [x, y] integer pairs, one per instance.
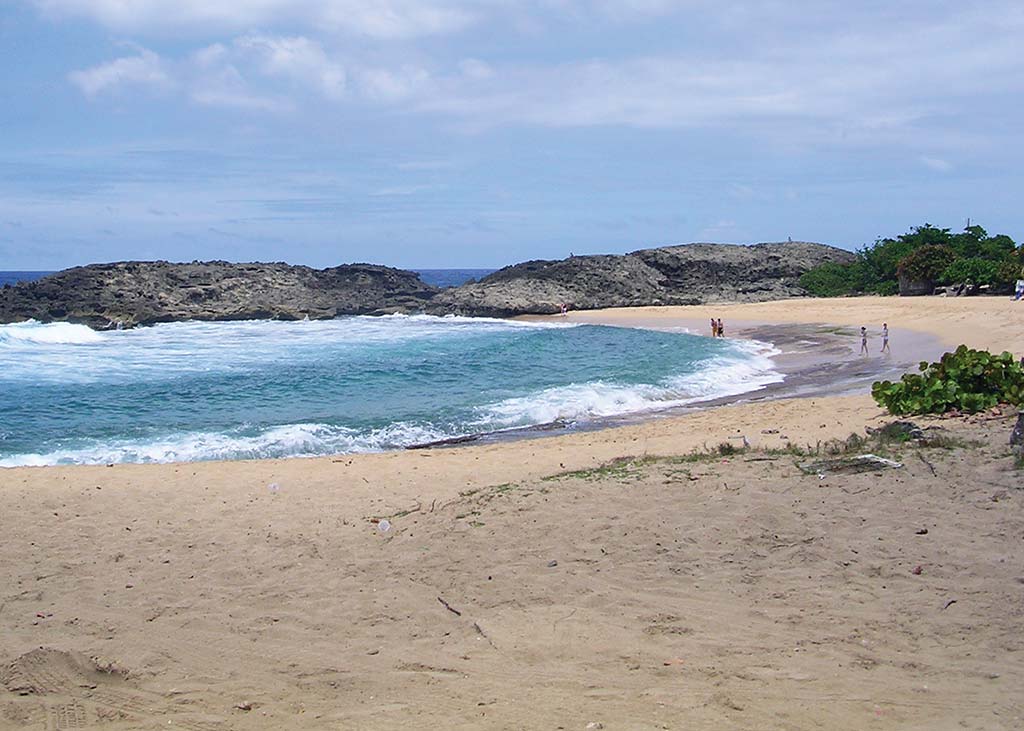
{"points": [[130, 294]]}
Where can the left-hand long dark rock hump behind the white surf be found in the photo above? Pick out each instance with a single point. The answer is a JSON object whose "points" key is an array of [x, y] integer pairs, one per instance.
{"points": [[127, 294]]}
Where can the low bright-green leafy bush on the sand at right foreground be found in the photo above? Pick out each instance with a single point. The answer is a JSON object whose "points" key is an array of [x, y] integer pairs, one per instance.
{"points": [[966, 380]]}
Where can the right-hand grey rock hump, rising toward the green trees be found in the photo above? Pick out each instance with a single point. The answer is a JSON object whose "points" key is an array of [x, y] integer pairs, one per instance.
{"points": [[694, 274]]}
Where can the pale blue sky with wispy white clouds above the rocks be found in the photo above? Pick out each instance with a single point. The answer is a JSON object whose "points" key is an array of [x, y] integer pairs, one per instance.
{"points": [[461, 134]]}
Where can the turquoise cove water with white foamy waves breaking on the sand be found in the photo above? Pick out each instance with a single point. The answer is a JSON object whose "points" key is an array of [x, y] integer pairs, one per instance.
{"points": [[239, 391]]}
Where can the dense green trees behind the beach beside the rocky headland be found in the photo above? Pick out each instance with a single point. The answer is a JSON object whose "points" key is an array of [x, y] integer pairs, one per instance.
{"points": [[926, 254]]}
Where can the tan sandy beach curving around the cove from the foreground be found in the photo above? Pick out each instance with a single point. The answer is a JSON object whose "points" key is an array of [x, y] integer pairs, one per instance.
{"points": [[618, 579]]}
